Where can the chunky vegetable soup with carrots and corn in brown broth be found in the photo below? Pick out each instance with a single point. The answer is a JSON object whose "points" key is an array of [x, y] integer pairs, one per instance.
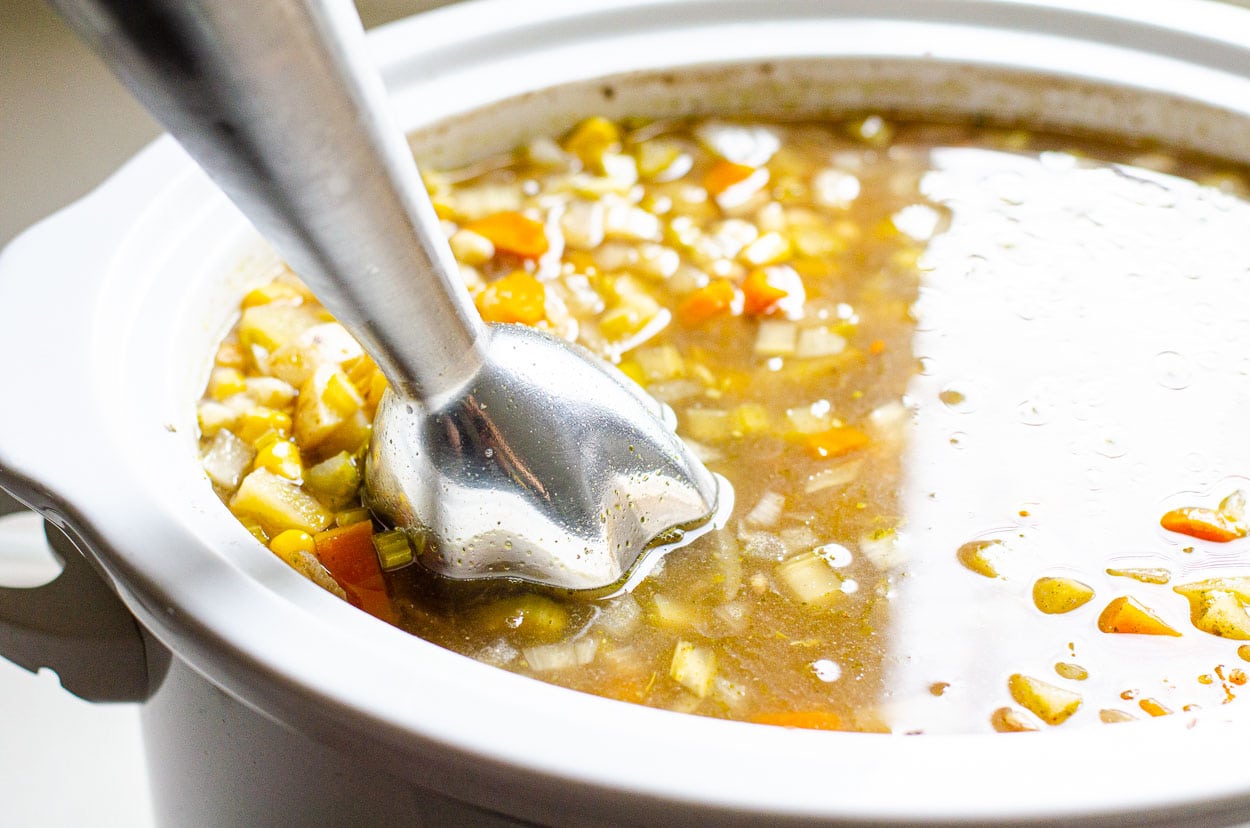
{"points": [[957, 376]]}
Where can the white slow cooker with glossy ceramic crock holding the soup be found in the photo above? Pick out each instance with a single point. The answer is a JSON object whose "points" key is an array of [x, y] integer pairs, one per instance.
{"points": [[269, 702]]}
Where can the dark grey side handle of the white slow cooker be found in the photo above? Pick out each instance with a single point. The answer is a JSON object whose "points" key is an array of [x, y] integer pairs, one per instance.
{"points": [[76, 626]]}
